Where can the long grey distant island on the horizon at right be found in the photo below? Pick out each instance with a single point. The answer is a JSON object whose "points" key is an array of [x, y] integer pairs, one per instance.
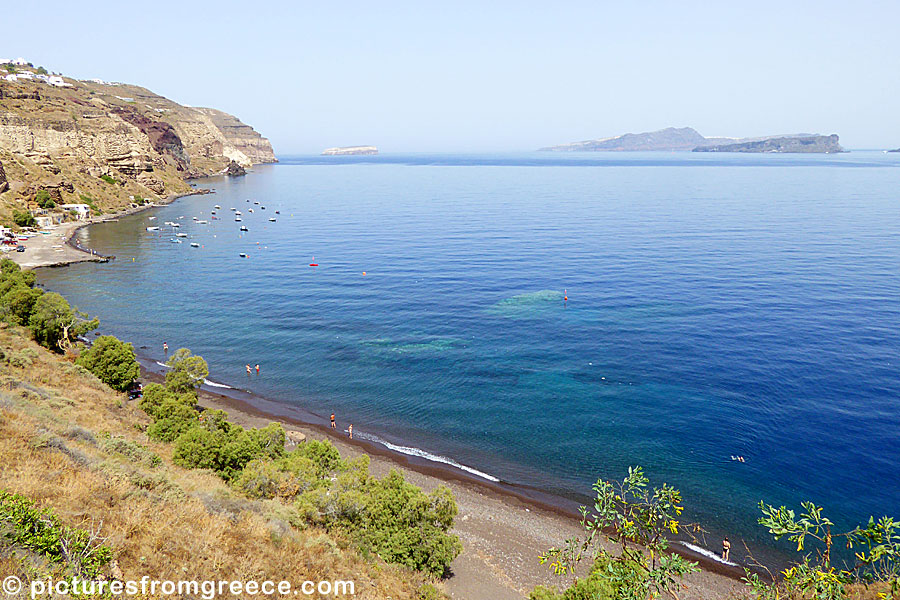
{"points": [[674, 139]]}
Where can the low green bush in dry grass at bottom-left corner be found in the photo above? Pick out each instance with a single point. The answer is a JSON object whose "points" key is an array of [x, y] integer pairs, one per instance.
{"points": [[41, 531]]}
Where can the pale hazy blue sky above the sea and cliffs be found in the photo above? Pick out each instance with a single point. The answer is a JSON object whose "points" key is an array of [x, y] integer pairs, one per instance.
{"points": [[481, 76]]}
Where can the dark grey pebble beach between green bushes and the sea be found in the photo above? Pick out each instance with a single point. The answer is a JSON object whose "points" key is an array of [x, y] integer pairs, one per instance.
{"points": [[502, 533]]}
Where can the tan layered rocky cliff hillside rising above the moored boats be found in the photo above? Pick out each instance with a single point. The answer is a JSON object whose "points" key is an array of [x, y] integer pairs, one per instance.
{"points": [[110, 145]]}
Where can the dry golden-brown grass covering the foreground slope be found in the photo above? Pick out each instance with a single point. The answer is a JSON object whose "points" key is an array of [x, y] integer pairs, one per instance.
{"points": [[162, 521]]}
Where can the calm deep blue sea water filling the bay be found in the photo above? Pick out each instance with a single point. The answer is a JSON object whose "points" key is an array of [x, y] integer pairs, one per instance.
{"points": [[718, 305]]}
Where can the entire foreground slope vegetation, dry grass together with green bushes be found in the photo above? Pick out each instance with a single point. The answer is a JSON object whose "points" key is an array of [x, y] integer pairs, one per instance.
{"points": [[96, 485]]}
